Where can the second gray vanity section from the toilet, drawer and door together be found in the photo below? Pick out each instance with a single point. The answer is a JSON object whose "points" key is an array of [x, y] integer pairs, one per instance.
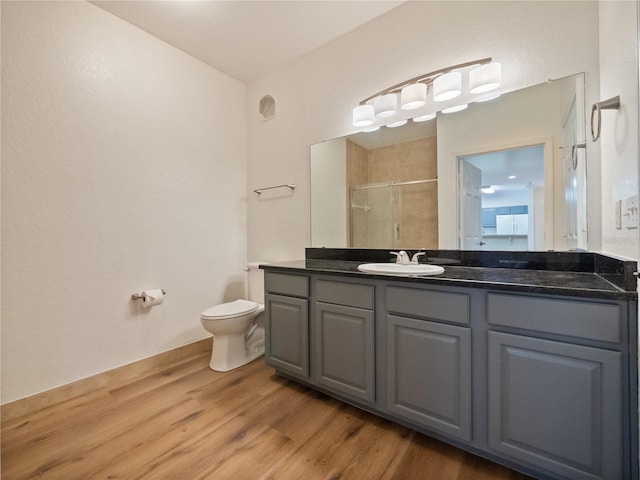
{"points": [[343, 338]]}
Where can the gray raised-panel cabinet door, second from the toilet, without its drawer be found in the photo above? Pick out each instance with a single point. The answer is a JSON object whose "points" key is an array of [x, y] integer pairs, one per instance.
{"points": [[344, 343]]}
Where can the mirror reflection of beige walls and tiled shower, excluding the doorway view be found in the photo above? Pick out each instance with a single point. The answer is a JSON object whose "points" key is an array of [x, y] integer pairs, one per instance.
{"points": [[549, 114]]}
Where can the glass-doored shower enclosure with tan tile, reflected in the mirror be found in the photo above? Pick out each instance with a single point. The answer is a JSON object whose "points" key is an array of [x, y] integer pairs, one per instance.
{"points": [[394, 215]]}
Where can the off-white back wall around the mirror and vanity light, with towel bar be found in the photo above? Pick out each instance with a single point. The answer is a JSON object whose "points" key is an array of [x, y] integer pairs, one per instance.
{"points": [[534, 41]]}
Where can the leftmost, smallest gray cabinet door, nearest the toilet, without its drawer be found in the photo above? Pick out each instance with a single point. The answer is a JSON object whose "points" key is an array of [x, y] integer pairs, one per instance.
{"points": [[287, 334]]}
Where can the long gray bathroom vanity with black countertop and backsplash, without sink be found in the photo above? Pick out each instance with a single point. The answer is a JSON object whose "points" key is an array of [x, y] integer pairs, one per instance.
{"points": [[533, 366]]}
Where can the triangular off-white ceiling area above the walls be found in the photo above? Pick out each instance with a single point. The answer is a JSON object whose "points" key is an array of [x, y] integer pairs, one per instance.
{"points": [[247, 39]]}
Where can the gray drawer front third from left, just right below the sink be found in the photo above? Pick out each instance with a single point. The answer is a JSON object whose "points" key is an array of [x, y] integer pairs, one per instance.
{"points": [[448, 307]]}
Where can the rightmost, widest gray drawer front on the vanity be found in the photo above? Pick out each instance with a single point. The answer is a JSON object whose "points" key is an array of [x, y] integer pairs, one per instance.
{"points": [[591, 320]]}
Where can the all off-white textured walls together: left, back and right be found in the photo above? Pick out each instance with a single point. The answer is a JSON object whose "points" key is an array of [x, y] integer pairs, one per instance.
{"points": [[124, 160]]}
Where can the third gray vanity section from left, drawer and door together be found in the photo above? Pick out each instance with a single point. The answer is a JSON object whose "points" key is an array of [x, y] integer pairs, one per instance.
{"points": [[429, 362]]}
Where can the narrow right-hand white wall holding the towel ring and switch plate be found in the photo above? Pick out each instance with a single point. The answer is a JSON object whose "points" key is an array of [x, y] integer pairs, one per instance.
{"points": [[619, 136]]}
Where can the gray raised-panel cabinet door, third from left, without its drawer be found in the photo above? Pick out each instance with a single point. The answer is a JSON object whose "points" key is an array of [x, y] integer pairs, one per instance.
{"points": [[429, 374]]}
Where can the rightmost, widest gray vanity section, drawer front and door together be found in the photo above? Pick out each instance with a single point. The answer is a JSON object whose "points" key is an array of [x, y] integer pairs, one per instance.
{"points": [[554, 404]]}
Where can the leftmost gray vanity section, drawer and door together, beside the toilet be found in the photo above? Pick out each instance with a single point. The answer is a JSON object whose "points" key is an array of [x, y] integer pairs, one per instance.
{"points": [[287, 323]]}
